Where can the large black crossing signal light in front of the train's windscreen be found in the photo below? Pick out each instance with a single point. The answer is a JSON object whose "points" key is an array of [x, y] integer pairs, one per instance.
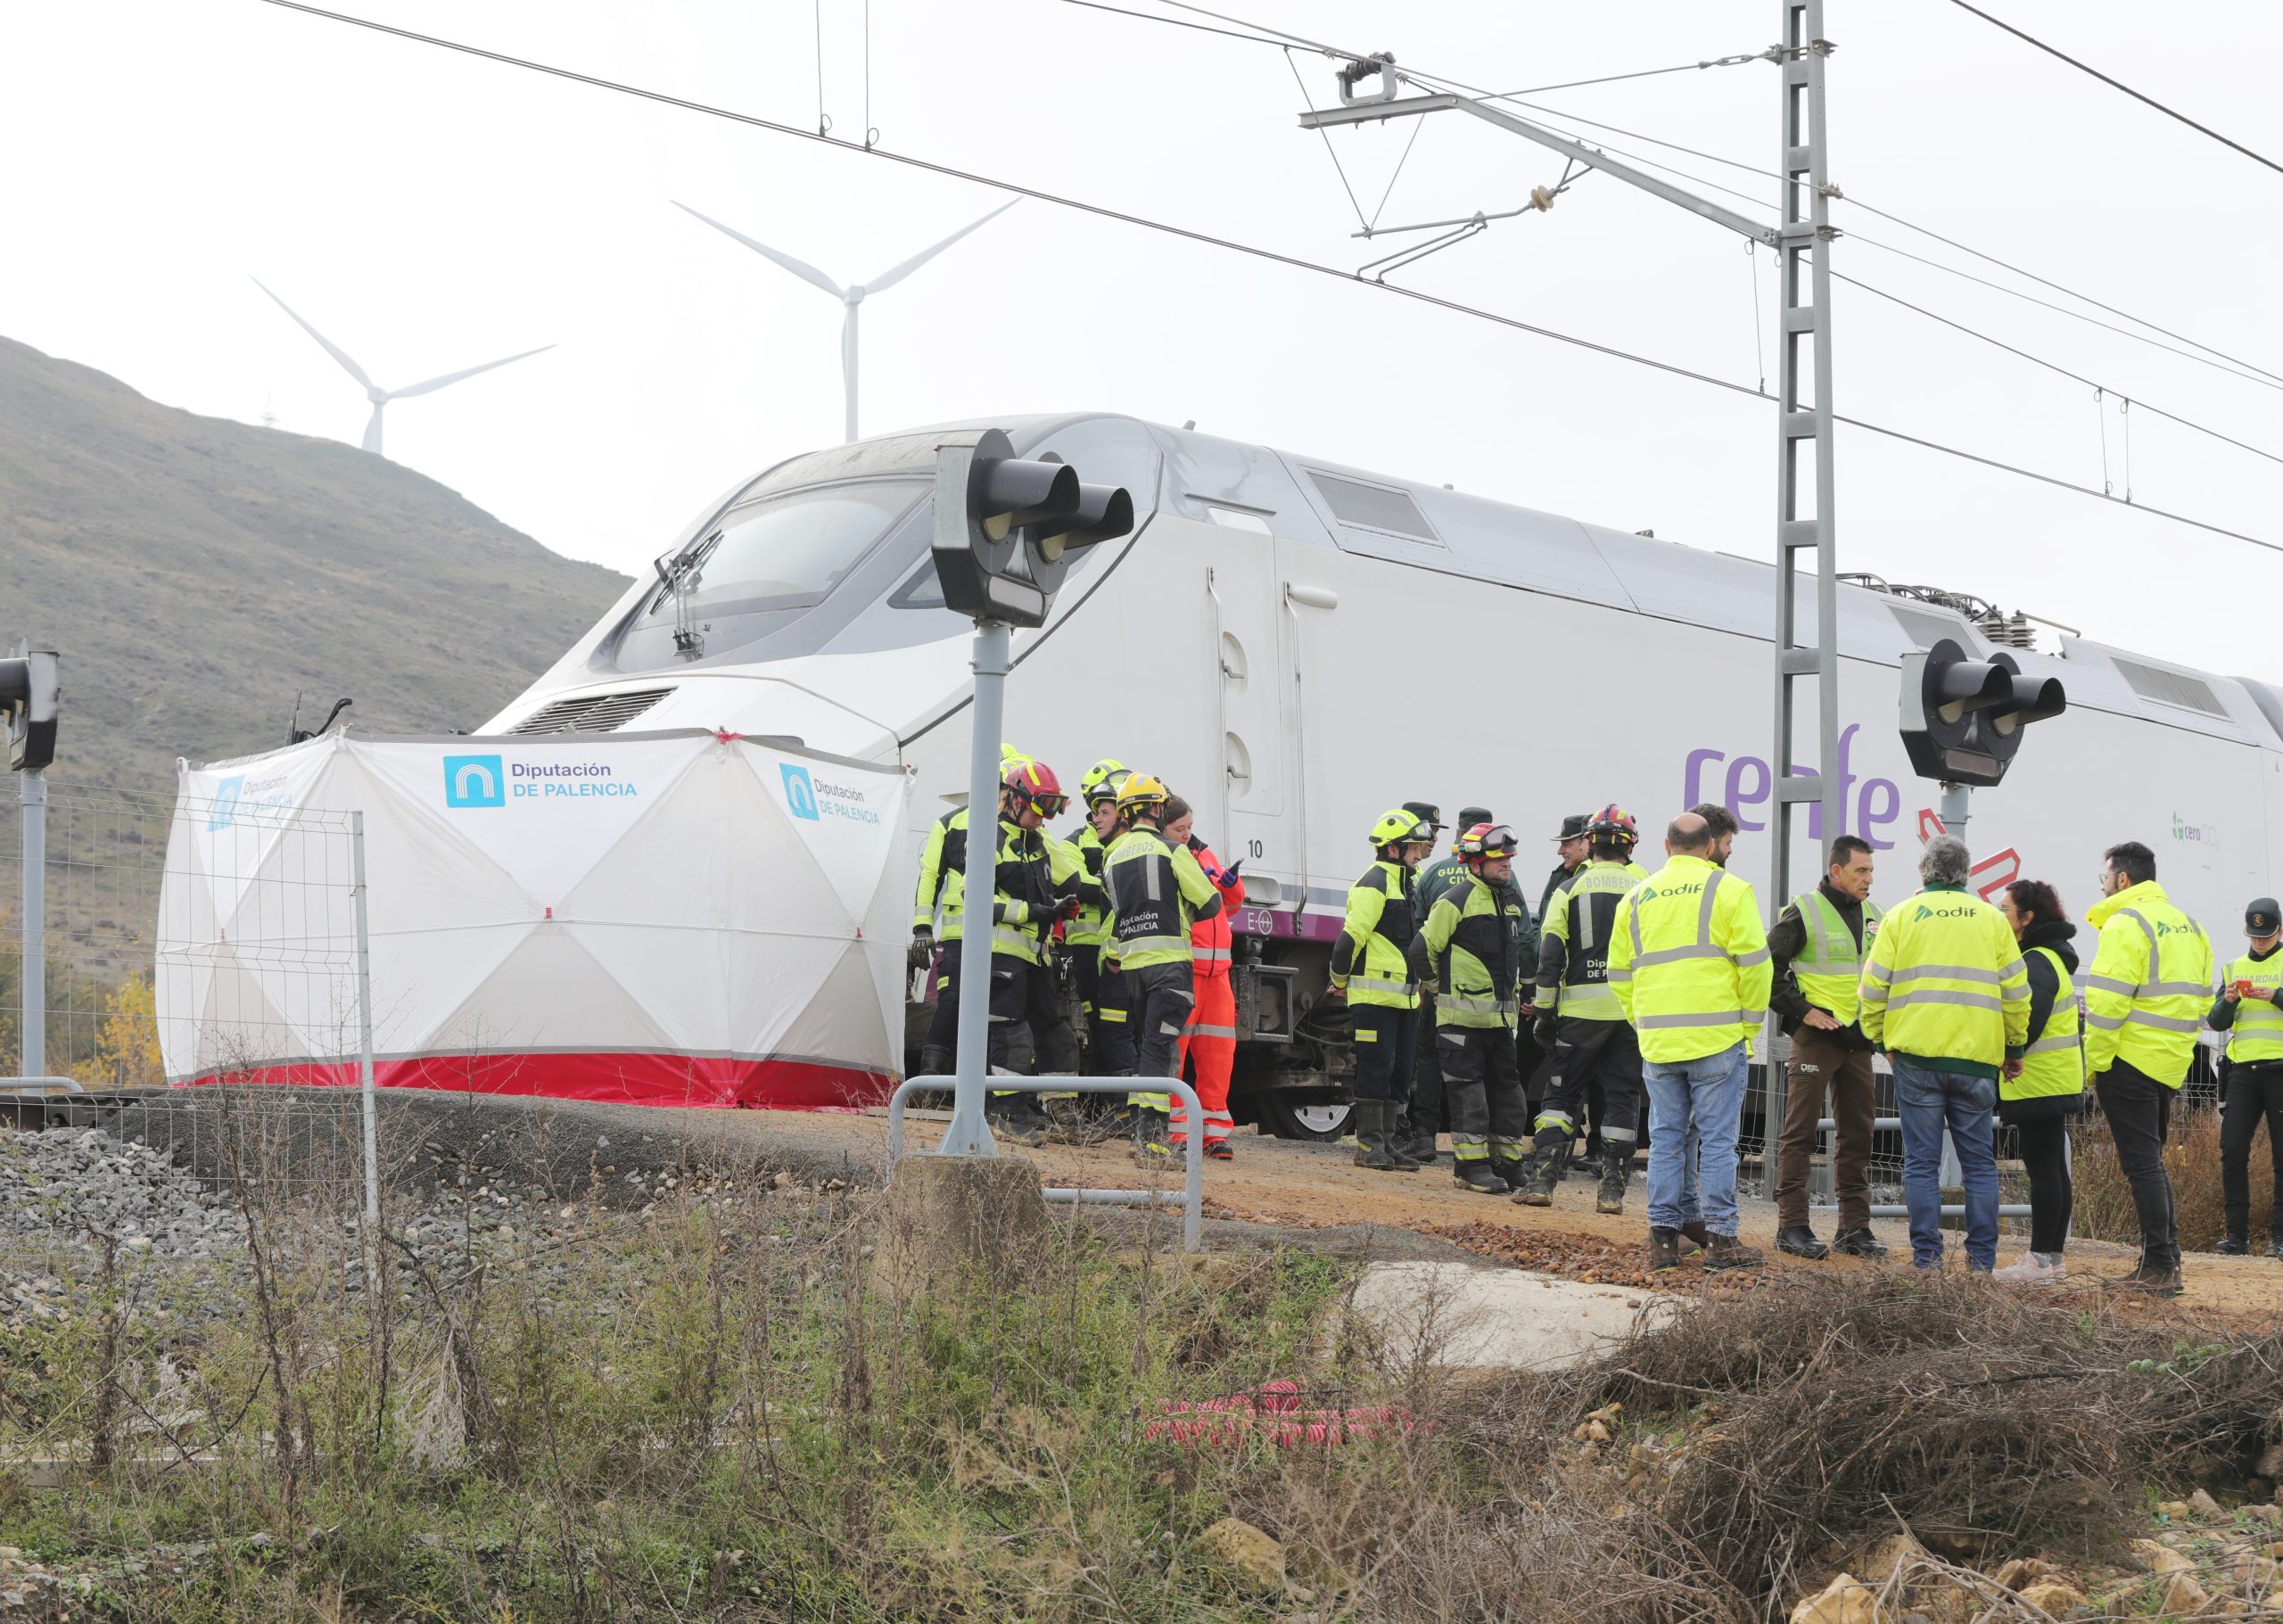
{"points": [[1008, 526]]}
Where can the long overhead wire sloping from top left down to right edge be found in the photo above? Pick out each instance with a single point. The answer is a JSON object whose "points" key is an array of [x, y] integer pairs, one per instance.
{"points": [[1207, 239]]}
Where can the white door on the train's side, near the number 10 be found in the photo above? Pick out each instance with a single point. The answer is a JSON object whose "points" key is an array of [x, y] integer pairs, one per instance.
{"points": [[1250, 714]]}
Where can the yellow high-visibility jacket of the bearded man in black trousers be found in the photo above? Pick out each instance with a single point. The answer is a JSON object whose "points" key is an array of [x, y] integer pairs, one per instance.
{"points": [[2147, 992]]}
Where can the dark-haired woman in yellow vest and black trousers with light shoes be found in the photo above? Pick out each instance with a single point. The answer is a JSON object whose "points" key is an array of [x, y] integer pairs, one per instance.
{"points": [[2044, 1086]]}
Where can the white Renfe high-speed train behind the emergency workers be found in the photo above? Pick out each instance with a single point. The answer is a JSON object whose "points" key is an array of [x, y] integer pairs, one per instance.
{"points": [[1296, 648]]}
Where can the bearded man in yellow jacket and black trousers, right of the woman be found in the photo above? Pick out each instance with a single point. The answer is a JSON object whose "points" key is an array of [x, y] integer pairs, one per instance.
{"points": [[2145, 1004]]}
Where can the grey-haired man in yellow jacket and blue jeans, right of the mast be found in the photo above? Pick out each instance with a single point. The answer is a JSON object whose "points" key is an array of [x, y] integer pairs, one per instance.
{"points": [[1949, 997]]}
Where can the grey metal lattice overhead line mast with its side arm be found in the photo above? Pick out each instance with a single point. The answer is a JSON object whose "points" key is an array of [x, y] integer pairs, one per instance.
{"points": [[1805, 421]]}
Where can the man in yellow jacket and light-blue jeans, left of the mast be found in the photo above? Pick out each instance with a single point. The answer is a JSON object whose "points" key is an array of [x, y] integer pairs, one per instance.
{"points": [[1688, 965]]}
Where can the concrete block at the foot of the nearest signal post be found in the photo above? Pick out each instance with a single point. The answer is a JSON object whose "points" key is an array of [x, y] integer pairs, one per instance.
{"points": [[955, 1214]]}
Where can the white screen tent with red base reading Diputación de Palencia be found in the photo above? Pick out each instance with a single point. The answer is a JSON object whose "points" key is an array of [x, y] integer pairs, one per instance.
{"points": [[681, 919]]}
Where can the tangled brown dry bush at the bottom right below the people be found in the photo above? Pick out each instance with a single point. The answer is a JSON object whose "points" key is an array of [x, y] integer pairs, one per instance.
{"points": [[1981, 1420]]}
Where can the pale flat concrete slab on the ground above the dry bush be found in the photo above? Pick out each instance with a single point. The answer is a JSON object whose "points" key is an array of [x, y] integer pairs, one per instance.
{"points": [[1481, 1319]]}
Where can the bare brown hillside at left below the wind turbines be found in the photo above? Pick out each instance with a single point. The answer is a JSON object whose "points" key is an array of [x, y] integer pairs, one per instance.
{"points": [[200, 572]]}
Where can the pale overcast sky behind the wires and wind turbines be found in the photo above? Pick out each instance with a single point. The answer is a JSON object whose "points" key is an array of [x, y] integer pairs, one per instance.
{"points": [[433, 211]]}
